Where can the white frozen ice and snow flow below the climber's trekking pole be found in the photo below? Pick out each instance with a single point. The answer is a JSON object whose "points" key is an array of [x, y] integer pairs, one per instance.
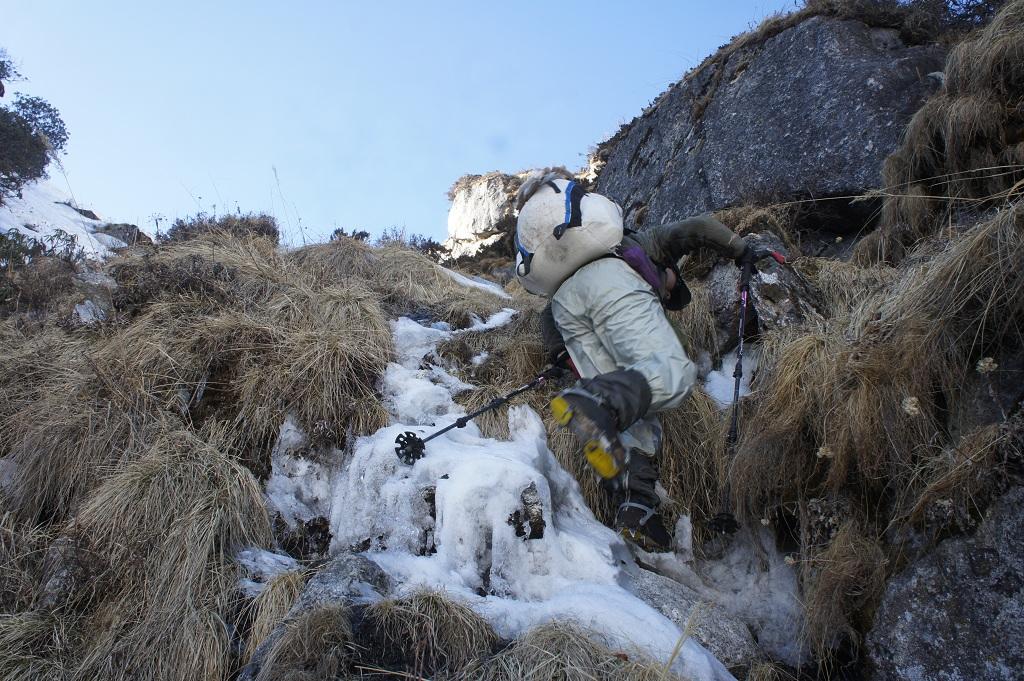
{"points": [[446, 522]]}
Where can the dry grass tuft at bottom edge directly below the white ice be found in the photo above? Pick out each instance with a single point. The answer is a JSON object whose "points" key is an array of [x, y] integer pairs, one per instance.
{"points": [[569, 653]]}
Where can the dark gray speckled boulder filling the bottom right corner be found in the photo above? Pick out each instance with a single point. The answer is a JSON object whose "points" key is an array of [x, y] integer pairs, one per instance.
{"points": [[959, 612]]}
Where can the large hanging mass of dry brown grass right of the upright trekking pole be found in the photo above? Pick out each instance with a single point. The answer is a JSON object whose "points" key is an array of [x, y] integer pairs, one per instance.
{"points": [[862, 401]]}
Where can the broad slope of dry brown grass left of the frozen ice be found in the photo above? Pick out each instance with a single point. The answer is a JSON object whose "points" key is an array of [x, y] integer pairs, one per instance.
{"points": [[135, 439]]}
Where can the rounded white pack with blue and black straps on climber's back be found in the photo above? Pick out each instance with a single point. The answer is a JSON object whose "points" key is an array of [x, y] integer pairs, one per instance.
{"points": [[561, 229]]}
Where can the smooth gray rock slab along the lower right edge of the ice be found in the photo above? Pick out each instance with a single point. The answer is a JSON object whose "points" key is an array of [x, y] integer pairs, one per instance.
{"points": [[724, 635]]}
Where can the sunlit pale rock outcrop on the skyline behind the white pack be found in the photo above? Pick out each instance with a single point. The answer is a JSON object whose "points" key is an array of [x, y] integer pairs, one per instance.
{"points": [[483, 212]]}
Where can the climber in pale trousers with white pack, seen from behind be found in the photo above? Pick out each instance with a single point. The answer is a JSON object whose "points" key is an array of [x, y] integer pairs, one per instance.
{"points": [[609, 288]]}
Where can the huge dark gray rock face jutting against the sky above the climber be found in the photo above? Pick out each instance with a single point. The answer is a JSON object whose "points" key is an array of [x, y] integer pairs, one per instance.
{"points": [[809, 113]]}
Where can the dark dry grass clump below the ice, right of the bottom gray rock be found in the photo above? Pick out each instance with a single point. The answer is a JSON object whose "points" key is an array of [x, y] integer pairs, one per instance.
{"points": [[428, 634]]}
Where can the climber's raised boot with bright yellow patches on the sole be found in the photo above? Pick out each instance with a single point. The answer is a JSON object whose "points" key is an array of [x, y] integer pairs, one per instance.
{"points": [[596, 429]]}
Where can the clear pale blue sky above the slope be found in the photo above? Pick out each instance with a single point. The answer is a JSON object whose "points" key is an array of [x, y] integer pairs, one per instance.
{"points": [[367, 111]]}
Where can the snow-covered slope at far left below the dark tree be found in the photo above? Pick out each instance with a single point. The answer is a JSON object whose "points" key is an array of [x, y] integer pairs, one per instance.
{"points": [[44, 209]]}
